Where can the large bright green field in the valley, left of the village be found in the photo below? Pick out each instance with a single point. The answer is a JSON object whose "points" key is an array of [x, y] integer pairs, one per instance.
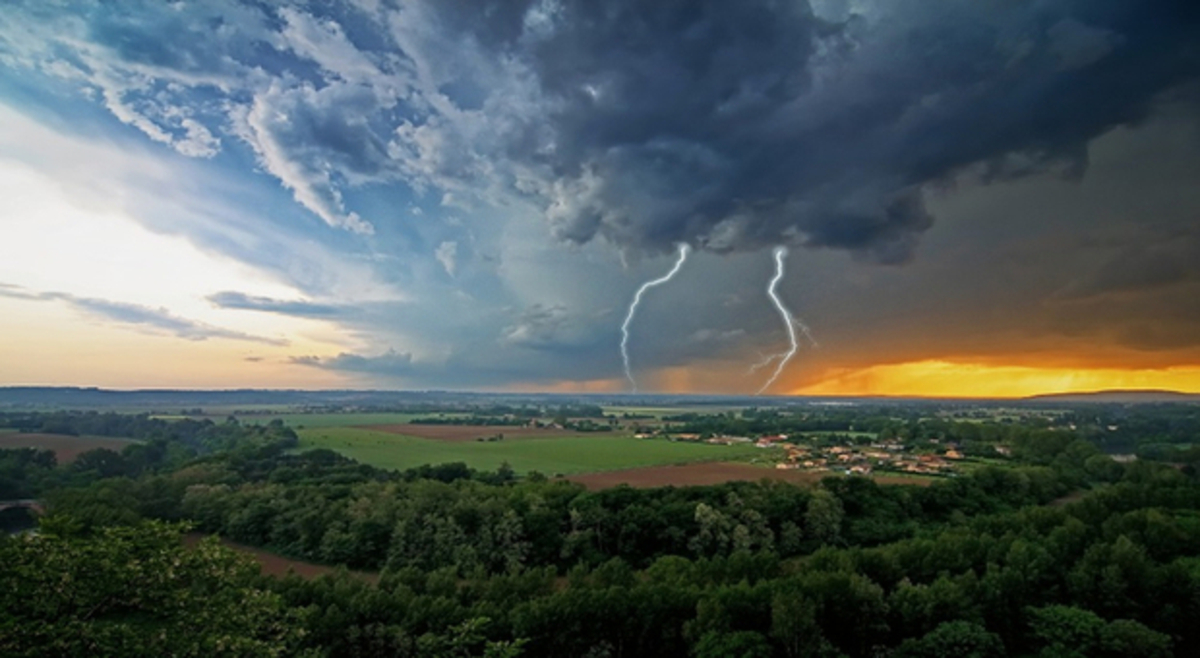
{"points": [[563, 456]]}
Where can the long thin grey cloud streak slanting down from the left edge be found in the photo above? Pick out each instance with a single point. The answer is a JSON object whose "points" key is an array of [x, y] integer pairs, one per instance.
{"points": [[159, 320]]}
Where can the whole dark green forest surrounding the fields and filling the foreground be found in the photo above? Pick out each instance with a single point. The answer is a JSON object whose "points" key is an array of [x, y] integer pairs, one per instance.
{"points": [[1059, 552]]}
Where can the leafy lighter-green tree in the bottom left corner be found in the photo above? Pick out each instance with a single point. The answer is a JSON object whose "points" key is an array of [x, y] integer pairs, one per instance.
{"points": [[137, 591]]}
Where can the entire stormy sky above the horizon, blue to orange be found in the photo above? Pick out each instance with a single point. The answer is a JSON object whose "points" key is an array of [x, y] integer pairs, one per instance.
{"points": [[977, 198]]}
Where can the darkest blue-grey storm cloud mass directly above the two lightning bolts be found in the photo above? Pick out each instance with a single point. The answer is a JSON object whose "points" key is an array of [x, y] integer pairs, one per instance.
{"points": [[737, 125]]}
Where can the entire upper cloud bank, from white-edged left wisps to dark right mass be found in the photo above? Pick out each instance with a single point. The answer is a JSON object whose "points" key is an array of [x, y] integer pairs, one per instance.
{"points": [[728, 125]]}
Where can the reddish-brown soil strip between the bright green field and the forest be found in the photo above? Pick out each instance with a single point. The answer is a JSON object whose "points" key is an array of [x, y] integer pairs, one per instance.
{"points": [[694, 475]]}
